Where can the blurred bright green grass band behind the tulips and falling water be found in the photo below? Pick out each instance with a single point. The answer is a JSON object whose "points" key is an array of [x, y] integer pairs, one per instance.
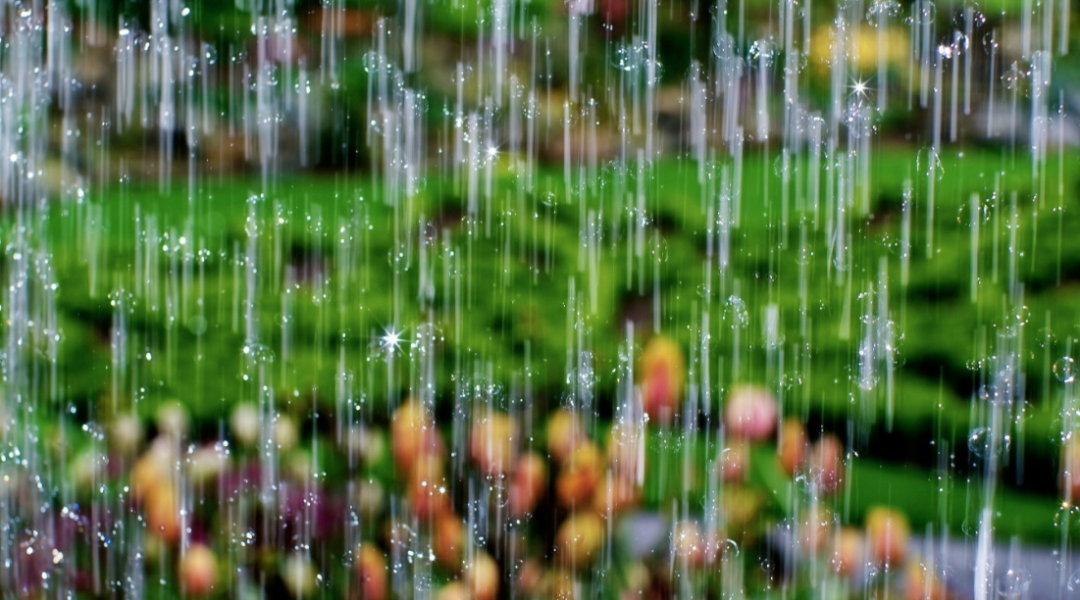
{"points": [[499, 303]]}
